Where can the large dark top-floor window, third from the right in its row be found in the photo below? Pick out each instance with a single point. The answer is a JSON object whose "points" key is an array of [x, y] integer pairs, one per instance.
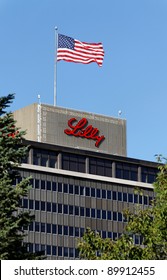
{"points": [[101, 167]]}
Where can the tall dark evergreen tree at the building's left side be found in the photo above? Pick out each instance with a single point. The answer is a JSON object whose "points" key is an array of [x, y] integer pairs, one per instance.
{"points": [[12, 217]]}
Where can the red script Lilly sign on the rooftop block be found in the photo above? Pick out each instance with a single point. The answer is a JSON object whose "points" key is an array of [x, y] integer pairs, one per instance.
{"points": [[80, 129]]}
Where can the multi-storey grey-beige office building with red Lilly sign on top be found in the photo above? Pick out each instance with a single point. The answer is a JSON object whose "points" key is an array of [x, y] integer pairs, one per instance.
{"points": [[81, 177]]}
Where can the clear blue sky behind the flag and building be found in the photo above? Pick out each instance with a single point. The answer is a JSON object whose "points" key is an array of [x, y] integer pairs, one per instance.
{"points": [[133, 77]]}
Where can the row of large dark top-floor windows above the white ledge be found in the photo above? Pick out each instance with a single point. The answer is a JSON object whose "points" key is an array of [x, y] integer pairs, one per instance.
{"points": [[97, 166]]}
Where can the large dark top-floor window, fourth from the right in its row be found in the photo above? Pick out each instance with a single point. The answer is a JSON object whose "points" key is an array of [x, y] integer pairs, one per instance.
{"points": [[73, 162]]}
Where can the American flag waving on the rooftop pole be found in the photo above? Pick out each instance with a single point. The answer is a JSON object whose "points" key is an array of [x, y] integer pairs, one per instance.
{"points": [[73, 50]]}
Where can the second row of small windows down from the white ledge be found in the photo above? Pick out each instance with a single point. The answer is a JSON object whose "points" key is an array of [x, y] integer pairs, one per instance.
{"points": [[72, 210]]}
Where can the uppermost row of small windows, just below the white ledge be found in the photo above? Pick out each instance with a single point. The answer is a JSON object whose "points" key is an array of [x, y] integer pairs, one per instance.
{"points": [[91, 192]]}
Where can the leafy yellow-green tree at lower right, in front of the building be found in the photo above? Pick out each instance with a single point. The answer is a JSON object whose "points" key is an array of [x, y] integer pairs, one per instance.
{"points": [[150, 224]]}
